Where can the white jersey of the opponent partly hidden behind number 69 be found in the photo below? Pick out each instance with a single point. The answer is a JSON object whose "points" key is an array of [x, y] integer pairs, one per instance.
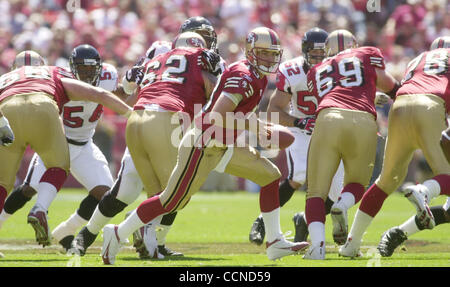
{"points": [[291, 78]]}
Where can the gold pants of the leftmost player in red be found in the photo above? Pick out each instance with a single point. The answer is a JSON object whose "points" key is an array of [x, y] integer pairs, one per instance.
{"points": [[35, 121]]}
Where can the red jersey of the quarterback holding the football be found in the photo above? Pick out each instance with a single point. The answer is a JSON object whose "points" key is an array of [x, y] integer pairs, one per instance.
{"points": [[244, 86]]}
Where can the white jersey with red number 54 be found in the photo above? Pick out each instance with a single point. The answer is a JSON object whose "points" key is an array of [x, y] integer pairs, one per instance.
{"points": [[81, 117]]}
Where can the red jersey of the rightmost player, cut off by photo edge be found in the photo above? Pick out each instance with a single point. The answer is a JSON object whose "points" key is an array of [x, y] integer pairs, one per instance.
{"points": [[429, 73]]}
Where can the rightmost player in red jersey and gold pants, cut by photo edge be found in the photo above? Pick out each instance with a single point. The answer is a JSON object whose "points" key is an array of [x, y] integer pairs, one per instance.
{"points": [[416, 121]]}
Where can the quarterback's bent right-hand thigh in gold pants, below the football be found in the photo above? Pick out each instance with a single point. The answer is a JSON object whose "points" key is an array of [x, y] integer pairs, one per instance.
{"points": [[247, 162]]}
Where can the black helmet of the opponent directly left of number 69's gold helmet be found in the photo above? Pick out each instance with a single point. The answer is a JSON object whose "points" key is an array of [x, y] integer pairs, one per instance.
{"points": [[314, 39]]}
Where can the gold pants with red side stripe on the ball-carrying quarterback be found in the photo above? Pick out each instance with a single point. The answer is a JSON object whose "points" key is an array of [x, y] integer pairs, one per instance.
{"points": [[195, 163]]}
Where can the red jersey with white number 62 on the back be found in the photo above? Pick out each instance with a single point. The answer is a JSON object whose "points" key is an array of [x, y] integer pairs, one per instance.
{"points": [[174, 81]]}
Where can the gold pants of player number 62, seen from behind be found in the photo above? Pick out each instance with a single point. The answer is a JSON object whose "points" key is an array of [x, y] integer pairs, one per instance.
{"points": [[152, 148]]}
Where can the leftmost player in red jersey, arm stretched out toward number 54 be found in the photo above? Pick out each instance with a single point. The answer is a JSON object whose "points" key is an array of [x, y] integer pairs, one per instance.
{"points": [[40, 92]]}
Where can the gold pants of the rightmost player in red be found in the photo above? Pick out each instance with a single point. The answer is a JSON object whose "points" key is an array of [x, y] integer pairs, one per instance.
{"points": [[415, 122]]}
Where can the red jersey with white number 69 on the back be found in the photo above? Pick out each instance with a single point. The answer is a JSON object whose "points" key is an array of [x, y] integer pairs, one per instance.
{"points": [[347, 80]]}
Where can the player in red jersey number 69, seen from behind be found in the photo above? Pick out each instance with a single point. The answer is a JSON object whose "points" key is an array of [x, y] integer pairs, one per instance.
{"points": [[345, 130]]}
